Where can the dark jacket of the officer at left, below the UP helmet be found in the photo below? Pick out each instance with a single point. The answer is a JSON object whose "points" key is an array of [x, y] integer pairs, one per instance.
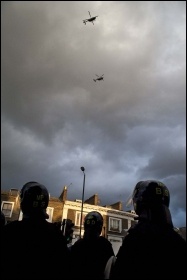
{"points": [[33, 249]]}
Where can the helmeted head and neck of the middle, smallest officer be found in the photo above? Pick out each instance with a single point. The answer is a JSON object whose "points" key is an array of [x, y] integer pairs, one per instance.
{"points": [[93, 224]]}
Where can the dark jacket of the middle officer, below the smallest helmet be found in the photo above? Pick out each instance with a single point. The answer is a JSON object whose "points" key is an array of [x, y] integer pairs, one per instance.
{"points": [[89, 258]]}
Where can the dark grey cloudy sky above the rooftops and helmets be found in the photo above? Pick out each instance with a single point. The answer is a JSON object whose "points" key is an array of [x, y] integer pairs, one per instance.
{"points": [[55, 118]]}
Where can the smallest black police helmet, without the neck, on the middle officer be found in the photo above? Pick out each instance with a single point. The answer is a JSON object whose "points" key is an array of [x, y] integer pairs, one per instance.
{"points": [[93, 220]]}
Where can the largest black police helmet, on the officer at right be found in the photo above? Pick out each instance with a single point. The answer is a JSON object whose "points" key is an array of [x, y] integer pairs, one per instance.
{"points": [[148, 194]]}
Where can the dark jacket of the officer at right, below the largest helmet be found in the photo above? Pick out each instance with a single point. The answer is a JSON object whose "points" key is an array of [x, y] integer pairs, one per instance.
{"points": [[150, 251]]}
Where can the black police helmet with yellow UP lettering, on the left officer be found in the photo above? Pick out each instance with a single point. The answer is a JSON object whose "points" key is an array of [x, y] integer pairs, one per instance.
{"points": [[34, 198]]}
